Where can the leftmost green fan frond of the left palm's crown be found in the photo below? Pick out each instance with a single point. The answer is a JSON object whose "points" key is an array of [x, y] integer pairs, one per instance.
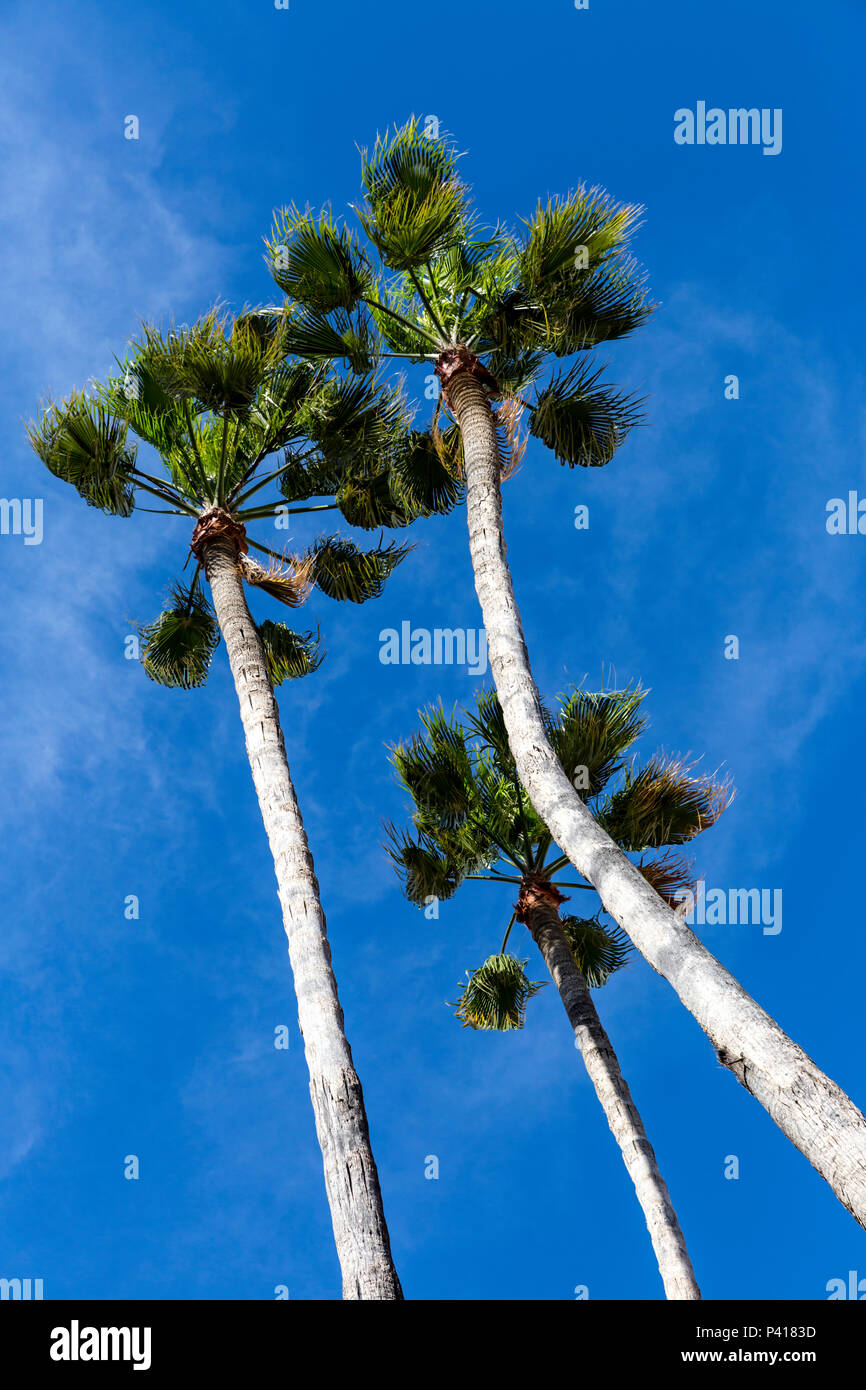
{"points": [[81, 443]]}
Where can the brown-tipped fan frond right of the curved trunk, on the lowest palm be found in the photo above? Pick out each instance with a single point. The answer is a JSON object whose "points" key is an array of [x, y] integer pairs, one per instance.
{"points": [[662, 804]]}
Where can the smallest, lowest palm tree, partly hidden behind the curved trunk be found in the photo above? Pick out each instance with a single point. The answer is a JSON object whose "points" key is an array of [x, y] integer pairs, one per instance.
{"points": [[473, 822]]}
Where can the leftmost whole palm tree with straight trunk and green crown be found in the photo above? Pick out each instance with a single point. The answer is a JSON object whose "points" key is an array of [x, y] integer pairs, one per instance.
{"points": [[216, 402]]}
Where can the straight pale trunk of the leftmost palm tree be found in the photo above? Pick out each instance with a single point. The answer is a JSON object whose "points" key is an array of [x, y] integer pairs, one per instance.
{"points": [[338, 1104]]}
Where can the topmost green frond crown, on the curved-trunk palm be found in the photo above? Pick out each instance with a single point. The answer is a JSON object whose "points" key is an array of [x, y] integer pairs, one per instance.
{"points": [[429, 283]]}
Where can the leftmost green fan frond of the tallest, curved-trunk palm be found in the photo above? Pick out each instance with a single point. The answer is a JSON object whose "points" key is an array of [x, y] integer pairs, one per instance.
{"points": [[318, 262]]}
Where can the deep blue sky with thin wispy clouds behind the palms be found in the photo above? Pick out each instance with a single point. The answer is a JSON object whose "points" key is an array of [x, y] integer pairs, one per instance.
{"points": [[155, 1038]]}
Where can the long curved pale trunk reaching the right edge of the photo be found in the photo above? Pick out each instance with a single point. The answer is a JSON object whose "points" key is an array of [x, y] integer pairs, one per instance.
{"points": [[808, 1107]]}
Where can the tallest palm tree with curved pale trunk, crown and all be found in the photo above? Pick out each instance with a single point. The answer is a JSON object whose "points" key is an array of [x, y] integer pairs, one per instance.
{"points": [[491, 311]]}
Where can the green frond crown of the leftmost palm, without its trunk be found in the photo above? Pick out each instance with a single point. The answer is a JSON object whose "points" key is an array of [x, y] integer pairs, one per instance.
{"points": [[218, 402]]}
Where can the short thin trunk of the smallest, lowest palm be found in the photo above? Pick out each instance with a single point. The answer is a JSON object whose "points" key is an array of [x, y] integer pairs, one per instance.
{"points": [[626, 1125]]}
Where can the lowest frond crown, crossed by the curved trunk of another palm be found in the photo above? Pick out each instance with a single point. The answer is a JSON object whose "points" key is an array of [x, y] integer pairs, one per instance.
{"points": [[473, 821]]}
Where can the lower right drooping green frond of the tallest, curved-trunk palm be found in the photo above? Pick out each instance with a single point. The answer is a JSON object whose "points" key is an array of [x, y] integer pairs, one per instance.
{"points": [[582, 422]]}
